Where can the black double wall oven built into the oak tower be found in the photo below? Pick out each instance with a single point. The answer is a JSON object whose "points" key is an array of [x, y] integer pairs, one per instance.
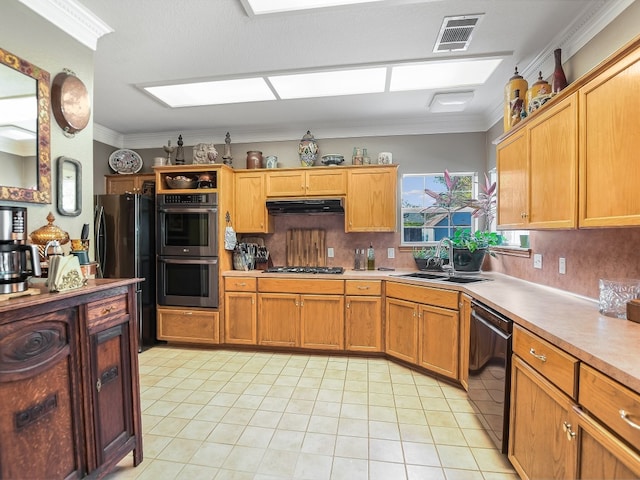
{"points": [[188, 250]]}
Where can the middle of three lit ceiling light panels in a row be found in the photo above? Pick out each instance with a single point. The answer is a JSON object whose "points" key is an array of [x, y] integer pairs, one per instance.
{"points": [[327, 84]]}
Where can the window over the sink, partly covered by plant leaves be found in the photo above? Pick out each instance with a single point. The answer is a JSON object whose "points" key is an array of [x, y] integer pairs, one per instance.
{"points": [[427, 219]]}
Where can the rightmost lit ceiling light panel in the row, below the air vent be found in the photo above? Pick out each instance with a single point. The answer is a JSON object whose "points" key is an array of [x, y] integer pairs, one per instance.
{"points": [[443, 74]]}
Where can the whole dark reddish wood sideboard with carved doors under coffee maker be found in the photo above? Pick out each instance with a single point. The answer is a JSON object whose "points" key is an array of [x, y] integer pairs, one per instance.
{"points": [[69, 383]]}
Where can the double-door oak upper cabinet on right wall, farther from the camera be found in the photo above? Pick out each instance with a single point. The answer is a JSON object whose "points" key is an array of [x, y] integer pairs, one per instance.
{"points": [[538, 171]]}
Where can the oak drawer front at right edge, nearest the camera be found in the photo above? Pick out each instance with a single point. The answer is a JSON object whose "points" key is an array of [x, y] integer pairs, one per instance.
{"points": [[612, 403]]}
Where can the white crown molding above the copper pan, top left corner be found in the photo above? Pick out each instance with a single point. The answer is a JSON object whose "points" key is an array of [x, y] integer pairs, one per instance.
{"points": [[73, 18]]}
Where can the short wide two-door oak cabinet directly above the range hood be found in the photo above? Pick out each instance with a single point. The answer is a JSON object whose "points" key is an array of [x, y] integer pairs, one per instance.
{"points": [[319, 181]]}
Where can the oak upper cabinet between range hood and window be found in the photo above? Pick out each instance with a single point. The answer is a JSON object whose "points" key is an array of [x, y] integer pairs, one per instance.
{"points": [[371, 204]]}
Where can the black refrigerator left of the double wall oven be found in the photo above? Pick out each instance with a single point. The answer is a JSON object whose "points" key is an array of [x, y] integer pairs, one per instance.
{"points": [[125, 247]]}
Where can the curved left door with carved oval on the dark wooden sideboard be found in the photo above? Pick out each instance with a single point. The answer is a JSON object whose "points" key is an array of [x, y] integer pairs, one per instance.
{"points": [[40, 393]]}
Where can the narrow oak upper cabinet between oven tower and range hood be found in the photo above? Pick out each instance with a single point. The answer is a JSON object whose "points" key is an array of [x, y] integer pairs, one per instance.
{"points": [[250, 203]]}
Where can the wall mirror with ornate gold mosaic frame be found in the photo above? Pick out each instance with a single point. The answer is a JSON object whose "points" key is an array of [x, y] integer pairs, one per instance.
{"points": [[24, 131]]}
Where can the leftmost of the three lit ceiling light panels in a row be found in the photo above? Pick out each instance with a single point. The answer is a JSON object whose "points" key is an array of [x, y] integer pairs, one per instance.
{"points": [[213, 93]]}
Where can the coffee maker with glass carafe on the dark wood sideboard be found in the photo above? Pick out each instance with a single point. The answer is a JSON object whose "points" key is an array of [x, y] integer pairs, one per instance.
{"points": [[18, 261]]}
